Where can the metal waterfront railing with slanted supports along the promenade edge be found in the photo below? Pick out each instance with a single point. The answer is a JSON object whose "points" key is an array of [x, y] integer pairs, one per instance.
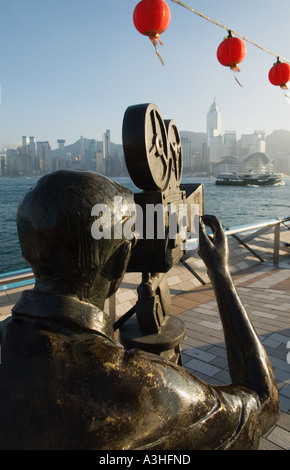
{"points": [[25, 277]]}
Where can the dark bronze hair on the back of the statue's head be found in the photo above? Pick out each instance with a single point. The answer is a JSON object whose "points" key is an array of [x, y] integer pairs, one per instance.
{"points": [[54, 225]]}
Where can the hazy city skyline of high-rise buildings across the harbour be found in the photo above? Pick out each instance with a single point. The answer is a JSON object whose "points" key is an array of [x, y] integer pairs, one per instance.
{"points": [[202, 152]]}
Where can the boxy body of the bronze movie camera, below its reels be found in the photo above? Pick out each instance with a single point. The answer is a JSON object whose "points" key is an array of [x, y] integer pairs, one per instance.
{"points": [[167, 219]]}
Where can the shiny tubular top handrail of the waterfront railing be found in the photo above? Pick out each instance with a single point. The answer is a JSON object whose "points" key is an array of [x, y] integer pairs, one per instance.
{"points": [[26, 276]]}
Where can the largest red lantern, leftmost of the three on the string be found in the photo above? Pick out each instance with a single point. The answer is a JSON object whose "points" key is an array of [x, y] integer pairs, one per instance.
{"points": [[152, 18]]}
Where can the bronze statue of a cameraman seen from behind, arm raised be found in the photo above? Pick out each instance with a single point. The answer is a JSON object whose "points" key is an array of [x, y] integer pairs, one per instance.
{"points": [[64, 381]]}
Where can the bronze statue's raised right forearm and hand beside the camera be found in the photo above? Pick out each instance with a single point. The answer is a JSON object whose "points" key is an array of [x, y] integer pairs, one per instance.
{"points": [[249, 364]]}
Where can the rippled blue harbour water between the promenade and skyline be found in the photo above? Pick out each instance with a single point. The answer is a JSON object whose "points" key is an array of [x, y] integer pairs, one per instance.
{"points": [[234, 206]]}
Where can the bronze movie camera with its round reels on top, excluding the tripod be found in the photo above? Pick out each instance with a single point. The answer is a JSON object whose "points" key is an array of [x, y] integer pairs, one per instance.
{"points": [[166, 211]]}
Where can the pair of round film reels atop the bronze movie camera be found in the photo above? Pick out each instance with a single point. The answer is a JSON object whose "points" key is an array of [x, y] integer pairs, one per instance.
{"points": [[152, 148]]}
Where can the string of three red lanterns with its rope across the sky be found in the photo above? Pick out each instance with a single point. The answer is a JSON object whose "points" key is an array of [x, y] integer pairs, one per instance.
{"points": [[152, 17]]}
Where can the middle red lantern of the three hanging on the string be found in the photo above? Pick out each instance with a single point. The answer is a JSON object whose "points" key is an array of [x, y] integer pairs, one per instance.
{"points": [[231, 52]]}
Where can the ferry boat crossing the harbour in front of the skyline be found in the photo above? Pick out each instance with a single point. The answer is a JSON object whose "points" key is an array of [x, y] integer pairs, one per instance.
{"points": [[249, 179]]}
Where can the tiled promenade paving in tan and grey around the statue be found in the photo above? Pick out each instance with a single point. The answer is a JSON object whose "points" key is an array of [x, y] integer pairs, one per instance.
{"points": [[265, 291]]}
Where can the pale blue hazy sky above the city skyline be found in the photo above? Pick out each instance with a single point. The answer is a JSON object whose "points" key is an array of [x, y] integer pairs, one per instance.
{"points": [[72, 67]]}
